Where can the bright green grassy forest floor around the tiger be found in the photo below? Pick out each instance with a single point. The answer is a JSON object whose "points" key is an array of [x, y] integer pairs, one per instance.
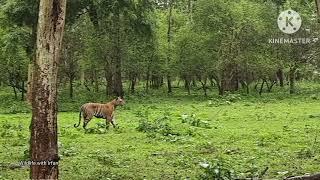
{"points": [[179, 137]]}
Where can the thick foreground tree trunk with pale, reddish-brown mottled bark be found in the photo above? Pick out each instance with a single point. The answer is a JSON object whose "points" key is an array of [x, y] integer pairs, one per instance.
{"points": [[43, 142]]}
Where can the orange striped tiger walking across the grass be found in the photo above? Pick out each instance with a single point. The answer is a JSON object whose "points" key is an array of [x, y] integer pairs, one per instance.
{"points": [[98, 110]]}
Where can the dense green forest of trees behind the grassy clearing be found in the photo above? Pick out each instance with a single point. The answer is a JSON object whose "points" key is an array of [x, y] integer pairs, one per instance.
{"points": [[213, 46]]}
